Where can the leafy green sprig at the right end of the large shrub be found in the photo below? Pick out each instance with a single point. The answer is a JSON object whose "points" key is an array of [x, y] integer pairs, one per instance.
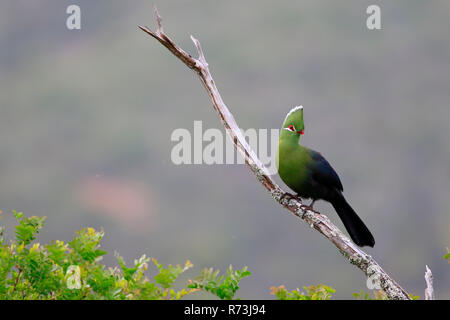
{"points": [[224, 286]]}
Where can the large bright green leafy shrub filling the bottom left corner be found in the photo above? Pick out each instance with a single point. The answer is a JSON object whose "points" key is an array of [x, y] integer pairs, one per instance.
{"points": [[72, 271]]}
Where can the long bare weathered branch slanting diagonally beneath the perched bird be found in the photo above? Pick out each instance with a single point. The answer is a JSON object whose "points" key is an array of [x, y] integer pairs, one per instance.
{"points": [[316, 220]]}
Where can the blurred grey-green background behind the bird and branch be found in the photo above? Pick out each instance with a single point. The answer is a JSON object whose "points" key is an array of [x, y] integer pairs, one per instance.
{"points": [[86, 118]]}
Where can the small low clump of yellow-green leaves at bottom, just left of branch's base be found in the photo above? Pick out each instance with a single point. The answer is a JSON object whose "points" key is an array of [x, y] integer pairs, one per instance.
{"points": [[318, 292]]}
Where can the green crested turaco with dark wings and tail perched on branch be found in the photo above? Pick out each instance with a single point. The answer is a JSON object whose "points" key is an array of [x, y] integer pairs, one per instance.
{"points": [[310, 175]]}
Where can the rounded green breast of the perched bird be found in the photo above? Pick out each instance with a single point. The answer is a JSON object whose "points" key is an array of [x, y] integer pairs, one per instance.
{"points": [[292, 160]]}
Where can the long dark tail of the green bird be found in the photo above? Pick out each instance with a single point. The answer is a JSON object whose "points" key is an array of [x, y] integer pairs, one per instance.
{"points": [[356, 228]]}
